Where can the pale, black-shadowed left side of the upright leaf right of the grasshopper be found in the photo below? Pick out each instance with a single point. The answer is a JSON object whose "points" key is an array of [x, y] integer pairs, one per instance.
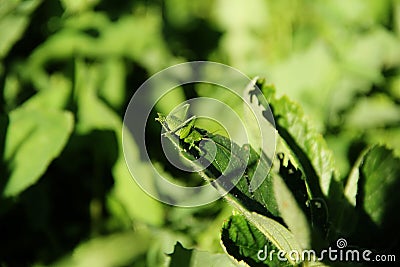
{"points": [[306, 217]]}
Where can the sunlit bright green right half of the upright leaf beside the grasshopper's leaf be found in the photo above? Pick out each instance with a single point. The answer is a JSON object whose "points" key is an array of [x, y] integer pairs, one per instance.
{"points": [[308, 146]]}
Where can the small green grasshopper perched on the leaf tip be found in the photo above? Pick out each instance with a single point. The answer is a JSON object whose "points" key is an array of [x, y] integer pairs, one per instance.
{"points": [[175, 123]]}
